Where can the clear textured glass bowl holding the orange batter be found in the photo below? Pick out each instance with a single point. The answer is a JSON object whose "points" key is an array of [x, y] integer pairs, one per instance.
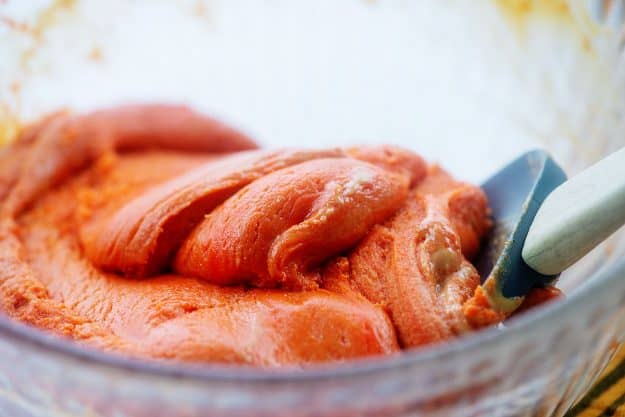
{"points": [[469, 84]]}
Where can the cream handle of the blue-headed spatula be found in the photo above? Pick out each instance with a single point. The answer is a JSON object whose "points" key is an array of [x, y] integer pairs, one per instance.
{"points": [[577, 216]]}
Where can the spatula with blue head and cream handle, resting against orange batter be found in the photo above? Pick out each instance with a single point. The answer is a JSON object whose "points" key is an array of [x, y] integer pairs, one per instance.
{"points": [[543, 223]]}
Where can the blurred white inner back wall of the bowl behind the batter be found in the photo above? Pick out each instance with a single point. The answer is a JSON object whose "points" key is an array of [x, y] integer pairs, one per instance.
{"points": [[466, 83]]}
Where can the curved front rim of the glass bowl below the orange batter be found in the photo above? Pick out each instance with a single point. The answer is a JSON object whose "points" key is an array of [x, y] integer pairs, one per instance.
{"points": [[603, 280]]}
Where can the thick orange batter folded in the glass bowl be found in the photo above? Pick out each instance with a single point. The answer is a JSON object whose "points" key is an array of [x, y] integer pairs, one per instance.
{"points": [[157, 232]]}
